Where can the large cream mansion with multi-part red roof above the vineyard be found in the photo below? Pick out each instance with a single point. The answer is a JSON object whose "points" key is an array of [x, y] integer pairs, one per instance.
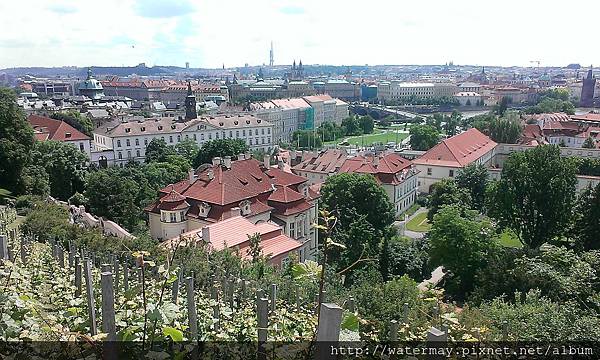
{"points": [[244, 187]]}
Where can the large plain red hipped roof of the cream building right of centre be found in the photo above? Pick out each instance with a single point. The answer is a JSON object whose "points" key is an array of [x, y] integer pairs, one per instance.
{"points": [[459, 150]]}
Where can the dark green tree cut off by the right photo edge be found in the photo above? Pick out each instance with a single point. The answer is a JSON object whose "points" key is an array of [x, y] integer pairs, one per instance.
{"points": [[587, 218]]}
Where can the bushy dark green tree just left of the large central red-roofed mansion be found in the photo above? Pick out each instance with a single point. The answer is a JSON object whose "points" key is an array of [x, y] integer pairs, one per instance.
{"points": [[114, 196]]}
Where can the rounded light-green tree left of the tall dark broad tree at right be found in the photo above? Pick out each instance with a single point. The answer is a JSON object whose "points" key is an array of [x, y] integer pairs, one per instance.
{"points": [[461, 243]]}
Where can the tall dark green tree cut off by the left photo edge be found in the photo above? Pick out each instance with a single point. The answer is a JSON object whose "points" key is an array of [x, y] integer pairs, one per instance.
{"points": [[16, 142]]}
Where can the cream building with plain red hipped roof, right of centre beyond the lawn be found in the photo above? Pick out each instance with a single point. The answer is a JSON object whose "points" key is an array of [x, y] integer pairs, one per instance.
{"points": [[448, 157]]}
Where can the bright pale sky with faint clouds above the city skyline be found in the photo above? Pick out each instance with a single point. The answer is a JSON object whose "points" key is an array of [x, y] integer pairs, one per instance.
{"points": [[210, 33]]}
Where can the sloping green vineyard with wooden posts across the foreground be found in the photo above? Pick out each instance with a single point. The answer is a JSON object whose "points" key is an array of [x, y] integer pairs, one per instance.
{"points": [[60, 296]]}
